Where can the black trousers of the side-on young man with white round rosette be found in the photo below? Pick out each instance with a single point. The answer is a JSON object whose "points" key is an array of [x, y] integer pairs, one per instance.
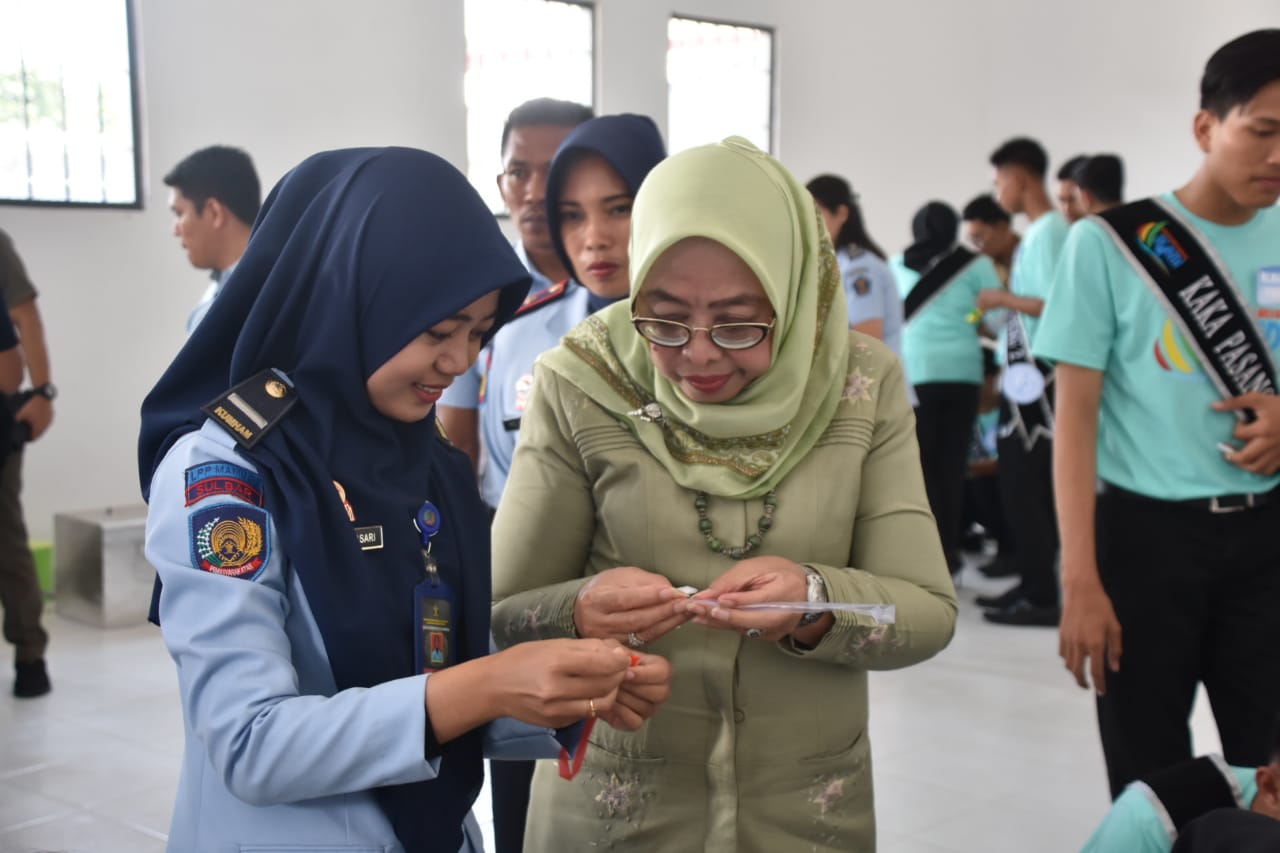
{"points": [[1027, 495]]}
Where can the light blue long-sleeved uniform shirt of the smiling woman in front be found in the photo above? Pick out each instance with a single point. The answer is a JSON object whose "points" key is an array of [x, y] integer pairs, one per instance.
{"points": [[276, 758]]}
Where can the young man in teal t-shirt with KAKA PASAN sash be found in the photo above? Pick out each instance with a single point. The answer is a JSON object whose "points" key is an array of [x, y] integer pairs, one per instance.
{"points": [[1171, 572]]}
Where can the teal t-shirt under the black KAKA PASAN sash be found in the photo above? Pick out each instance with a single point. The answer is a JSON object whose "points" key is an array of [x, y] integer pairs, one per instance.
{"points": [[1158, 435]]}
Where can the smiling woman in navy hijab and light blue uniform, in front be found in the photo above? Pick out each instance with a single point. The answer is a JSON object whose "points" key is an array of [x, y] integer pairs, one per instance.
{"points": [[323, 550]]}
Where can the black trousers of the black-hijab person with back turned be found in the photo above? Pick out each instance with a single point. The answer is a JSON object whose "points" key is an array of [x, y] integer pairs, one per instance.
{"points": [[944, 425]]}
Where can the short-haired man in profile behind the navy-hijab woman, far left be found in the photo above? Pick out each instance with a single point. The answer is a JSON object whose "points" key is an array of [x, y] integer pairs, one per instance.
{"points": [[214, 198]]}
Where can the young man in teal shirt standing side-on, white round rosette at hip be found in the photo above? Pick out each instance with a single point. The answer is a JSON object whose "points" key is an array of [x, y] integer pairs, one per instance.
{"points": [[1027, 422]]}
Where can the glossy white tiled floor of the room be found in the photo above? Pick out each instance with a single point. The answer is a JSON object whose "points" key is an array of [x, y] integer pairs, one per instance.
{"points": [[990, 747]]}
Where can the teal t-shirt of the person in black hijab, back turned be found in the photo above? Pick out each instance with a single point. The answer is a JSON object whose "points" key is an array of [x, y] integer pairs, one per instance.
{"points": [[941, 344]]}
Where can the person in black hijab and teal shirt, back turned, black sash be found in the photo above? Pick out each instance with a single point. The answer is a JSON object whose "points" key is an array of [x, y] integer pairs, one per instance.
{"points": [[944, 363]]}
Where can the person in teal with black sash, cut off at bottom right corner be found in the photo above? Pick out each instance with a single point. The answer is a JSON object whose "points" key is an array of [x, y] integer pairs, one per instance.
{"points": [[1153, 813]]}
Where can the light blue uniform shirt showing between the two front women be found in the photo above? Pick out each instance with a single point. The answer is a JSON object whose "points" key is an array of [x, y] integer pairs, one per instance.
{"points": [[500, 382]]}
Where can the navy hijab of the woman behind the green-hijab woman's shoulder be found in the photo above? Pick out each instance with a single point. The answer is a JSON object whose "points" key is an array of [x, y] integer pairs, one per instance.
{"points": [[629, 143]]}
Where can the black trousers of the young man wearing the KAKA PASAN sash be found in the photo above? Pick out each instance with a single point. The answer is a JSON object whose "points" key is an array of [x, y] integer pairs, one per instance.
{"points": [[1197, 596]]}
